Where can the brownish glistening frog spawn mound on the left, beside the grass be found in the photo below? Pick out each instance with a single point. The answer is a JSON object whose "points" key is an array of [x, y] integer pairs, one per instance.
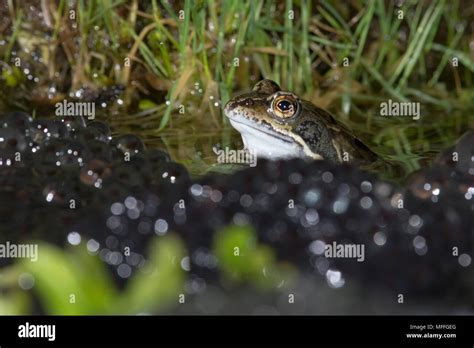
{"points": [[64, 170]]}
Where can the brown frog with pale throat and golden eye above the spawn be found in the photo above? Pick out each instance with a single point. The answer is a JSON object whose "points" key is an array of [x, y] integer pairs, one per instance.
{"points": [[278, 125]]}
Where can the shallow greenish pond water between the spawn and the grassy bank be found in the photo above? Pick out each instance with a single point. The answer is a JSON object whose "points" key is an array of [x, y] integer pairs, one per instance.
{"points": [[190, 139]]}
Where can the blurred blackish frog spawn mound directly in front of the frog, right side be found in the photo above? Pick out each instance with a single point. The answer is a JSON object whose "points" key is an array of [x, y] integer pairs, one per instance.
{"points": [[341, 204]]}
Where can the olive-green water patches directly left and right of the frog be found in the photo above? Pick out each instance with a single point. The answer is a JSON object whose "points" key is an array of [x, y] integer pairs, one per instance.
{"points": [[192, 143]]}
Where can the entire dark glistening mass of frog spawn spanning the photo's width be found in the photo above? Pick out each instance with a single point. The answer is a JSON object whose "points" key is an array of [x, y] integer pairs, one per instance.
{"points": [[296, 207]]}
